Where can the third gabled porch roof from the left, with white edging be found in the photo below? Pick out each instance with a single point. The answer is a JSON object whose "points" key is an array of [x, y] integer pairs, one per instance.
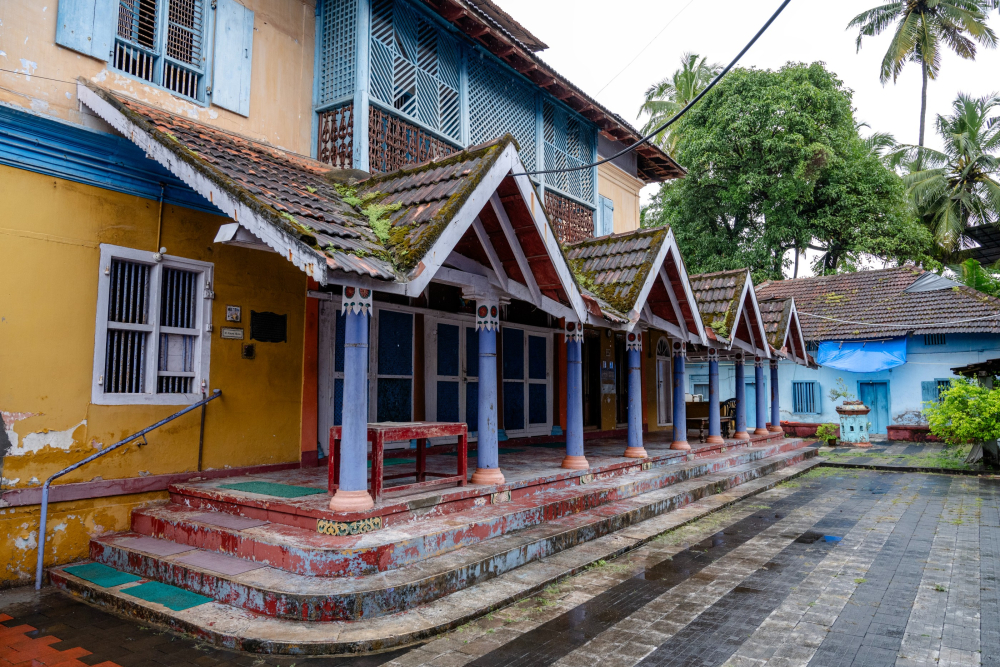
{"points": [[728, 303]]}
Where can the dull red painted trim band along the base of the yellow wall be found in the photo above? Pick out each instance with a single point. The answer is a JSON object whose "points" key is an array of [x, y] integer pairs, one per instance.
{"points": [[128, 485]]}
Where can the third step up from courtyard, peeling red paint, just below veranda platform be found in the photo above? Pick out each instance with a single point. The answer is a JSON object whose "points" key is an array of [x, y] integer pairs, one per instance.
{"points": [[306, 551]]}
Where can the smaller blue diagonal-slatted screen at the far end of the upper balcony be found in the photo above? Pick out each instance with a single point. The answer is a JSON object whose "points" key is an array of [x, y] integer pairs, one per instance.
{"points": [[568, 144]]}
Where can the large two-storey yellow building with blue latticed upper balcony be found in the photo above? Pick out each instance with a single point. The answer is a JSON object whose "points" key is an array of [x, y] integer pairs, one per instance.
{"points": [[186, 174]]}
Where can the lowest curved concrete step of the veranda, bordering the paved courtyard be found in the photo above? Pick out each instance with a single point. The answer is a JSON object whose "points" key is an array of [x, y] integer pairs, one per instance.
{"points": [[243, 629]]}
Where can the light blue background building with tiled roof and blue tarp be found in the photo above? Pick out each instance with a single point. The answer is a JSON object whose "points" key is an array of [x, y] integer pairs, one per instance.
{"points": [[891, 337]]}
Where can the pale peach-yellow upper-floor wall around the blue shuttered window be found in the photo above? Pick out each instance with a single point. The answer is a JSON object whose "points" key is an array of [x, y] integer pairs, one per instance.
{"points": [[281, 87]]}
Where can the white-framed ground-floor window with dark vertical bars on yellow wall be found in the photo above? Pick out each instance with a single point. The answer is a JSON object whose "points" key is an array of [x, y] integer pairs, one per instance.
{"points": [[151, 345]]}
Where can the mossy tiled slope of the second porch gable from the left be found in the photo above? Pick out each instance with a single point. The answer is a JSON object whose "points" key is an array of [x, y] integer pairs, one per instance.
{"points": [[614, 268]]}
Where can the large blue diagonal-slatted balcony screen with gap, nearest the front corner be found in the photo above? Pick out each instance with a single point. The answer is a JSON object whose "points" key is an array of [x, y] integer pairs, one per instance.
{"points": [[415, 68]]}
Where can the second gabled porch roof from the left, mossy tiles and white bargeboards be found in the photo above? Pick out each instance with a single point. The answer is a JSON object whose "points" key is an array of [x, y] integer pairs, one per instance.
{"points": [[637, 276]]}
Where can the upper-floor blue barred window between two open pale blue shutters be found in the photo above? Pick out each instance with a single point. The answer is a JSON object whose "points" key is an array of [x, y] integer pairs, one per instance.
{"points": [[161, 41]]}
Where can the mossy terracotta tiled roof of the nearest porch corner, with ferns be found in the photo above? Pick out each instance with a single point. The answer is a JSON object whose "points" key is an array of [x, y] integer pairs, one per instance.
{"points": [[309, 199]]}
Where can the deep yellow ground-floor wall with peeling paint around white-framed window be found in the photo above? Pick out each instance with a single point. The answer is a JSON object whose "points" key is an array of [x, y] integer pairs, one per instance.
{"points": [[50, 231]]}
